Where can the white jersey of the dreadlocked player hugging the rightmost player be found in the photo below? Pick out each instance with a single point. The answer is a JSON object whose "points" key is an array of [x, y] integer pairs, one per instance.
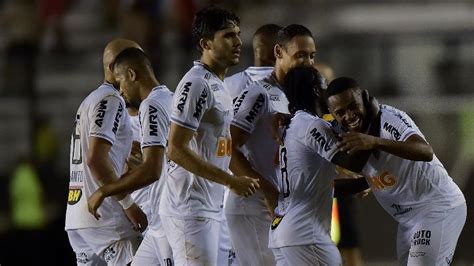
{"points": [[305, 183]]}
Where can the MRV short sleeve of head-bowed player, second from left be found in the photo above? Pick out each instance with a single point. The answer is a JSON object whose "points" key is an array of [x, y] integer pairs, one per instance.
{"points": [[154, 122]]}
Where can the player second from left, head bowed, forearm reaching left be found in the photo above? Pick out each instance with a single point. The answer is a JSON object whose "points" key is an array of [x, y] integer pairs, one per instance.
{"points": [[139, 87]]}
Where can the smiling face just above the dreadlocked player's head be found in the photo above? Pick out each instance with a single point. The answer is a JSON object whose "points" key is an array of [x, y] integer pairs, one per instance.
{"points": [[300, 51]]}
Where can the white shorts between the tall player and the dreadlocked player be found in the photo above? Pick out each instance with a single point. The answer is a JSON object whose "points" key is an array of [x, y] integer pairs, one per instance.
{"points": [[249, 236]]}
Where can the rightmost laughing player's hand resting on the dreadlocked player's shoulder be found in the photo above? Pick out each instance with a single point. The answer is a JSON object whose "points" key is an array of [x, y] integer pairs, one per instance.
{"points": [[352, 142]]}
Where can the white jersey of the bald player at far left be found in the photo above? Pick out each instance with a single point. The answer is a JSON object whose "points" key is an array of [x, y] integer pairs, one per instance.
{"points": [[102, 115]]}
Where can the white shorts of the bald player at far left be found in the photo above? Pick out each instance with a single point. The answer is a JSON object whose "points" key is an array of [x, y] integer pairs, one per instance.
{"points": [[102, 246]]}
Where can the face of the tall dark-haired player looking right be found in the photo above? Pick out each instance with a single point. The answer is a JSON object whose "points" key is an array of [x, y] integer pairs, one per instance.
{"points": [[225, 47]]}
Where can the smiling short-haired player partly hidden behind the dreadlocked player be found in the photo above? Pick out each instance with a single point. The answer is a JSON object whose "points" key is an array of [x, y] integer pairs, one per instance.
{"points": [[254, 149]]}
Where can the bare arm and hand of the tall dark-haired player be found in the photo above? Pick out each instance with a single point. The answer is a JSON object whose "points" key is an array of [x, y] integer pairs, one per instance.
{"points": [[180, 152]]}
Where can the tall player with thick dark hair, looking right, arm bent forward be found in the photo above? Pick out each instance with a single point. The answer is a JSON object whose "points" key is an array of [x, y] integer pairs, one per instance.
{"points": [[199, 144]]}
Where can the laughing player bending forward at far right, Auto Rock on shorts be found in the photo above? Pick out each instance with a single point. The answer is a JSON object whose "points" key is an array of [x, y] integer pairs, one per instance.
{"points": [[405, 176]]}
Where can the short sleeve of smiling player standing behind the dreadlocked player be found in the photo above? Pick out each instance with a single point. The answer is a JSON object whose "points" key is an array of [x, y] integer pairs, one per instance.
{"points": [[249, 107]]}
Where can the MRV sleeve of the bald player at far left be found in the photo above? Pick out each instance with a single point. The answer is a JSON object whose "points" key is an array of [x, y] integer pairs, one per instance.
{"points": [[107, 116]]}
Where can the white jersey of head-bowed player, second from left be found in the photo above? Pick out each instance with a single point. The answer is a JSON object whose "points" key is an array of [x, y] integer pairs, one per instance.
{"points": [[154, 115]]}
